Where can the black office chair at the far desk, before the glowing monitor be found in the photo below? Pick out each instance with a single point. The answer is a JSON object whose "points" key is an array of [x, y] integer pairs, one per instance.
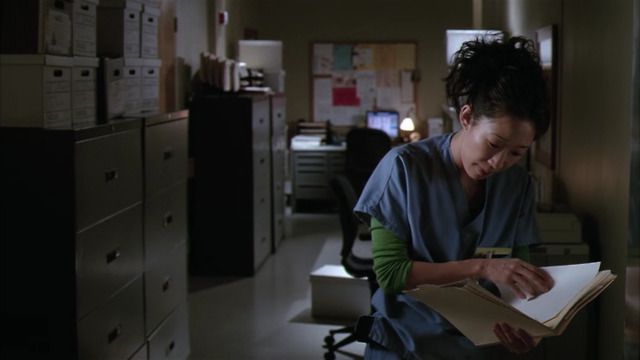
{"points": [[365, 148]]}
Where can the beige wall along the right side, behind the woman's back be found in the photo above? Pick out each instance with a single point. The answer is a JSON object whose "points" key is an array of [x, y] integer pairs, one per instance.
{"points": [[594, 127]]}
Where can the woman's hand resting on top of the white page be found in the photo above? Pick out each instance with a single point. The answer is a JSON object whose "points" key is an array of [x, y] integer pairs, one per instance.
{"points": [[521, 277]]}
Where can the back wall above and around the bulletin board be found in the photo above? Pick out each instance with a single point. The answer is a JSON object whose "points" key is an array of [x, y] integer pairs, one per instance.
{"points": [[298, 23]]}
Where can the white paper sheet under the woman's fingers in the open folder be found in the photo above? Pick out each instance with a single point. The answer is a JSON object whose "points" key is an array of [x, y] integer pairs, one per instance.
{"points": [[569, 280]]}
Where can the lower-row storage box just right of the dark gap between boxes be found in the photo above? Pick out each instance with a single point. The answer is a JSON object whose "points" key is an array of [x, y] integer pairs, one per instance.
{"points": [[112, 89]]}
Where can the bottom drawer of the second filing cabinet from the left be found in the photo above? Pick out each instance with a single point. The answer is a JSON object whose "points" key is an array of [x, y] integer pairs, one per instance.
{"points": [[171, 339]]}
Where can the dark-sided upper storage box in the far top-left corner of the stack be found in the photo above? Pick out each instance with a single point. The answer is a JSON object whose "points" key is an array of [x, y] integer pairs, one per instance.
{"points": [[36, 27]]}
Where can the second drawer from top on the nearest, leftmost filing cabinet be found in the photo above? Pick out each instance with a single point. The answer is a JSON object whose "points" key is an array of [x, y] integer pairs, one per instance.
{"points": [[108, 256]]}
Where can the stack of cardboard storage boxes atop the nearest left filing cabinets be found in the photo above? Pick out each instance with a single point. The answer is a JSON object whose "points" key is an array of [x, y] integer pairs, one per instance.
{"points": [[49, 65]]}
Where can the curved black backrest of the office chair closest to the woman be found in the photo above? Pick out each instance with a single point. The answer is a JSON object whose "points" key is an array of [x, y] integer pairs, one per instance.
{"points": [[346, 198]]}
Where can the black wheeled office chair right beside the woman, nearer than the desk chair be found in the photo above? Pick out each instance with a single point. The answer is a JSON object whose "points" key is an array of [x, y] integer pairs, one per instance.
{"points": [[355, 265]]}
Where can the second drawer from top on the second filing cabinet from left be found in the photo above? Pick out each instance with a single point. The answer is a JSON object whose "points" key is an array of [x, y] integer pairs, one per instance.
{"points": [[165, 221]]}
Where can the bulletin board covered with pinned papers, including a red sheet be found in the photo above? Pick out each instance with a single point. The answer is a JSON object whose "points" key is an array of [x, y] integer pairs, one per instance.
{"points": [[349, 79]]}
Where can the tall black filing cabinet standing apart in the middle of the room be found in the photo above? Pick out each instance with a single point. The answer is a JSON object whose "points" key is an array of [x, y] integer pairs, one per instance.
{"points": [[230, 193]]}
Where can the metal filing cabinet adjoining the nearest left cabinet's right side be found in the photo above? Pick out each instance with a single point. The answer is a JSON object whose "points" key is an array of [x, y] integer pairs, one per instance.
{"points": [[165, 235]]}
